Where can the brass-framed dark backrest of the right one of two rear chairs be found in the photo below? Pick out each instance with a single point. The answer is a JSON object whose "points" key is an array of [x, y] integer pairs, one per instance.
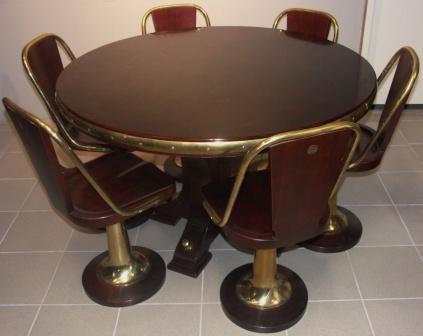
{"points": [[309, 22]]}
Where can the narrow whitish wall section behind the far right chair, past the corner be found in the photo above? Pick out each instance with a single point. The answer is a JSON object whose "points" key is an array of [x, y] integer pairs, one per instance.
{"points": [[391, 24]]}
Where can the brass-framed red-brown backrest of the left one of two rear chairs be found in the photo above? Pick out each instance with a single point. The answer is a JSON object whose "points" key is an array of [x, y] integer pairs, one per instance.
{"points": [[174, 17]]}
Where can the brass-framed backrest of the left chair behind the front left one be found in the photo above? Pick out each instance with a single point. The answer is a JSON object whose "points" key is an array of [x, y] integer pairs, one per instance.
{"points": [[43, 64]]}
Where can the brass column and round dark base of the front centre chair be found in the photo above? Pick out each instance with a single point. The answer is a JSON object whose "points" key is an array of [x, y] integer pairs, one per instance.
{"points": [[263, 297]]}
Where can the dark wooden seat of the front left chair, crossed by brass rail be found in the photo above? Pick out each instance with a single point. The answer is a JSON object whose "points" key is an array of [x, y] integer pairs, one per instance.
{"points": [[128, 180]]}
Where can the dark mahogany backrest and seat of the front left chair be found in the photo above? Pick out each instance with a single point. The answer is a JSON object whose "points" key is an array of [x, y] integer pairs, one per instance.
{"points": [[127, 179]]}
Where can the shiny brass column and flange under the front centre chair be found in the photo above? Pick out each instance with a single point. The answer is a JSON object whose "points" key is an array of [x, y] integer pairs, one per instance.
{"points": [[265, 288]]}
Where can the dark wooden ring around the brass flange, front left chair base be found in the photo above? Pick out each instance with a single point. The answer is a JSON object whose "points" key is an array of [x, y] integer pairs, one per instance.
{"points": [[124, 295]]}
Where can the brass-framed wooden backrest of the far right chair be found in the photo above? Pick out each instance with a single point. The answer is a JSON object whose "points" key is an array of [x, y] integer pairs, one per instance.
{"points": [[402, 84]]}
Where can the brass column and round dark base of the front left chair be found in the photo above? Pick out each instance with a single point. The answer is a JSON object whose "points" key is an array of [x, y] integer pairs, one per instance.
{"points": [[123, 276]]}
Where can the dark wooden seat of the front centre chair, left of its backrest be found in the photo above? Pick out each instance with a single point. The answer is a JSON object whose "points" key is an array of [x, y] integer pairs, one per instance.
{"points": [[250, 222]]}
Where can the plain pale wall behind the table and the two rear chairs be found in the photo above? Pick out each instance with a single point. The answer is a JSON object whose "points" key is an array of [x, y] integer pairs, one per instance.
{"points": [[87, 24]]}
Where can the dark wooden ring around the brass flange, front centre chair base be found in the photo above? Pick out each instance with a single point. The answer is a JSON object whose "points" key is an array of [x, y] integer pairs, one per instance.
{"points": [[263, 320]]}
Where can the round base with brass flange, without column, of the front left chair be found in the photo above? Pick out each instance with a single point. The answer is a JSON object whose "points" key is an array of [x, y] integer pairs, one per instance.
{"points": [[124, 286]]}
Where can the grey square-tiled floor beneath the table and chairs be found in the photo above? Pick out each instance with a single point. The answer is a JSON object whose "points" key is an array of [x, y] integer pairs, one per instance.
{"points": [[375, 289]]}
